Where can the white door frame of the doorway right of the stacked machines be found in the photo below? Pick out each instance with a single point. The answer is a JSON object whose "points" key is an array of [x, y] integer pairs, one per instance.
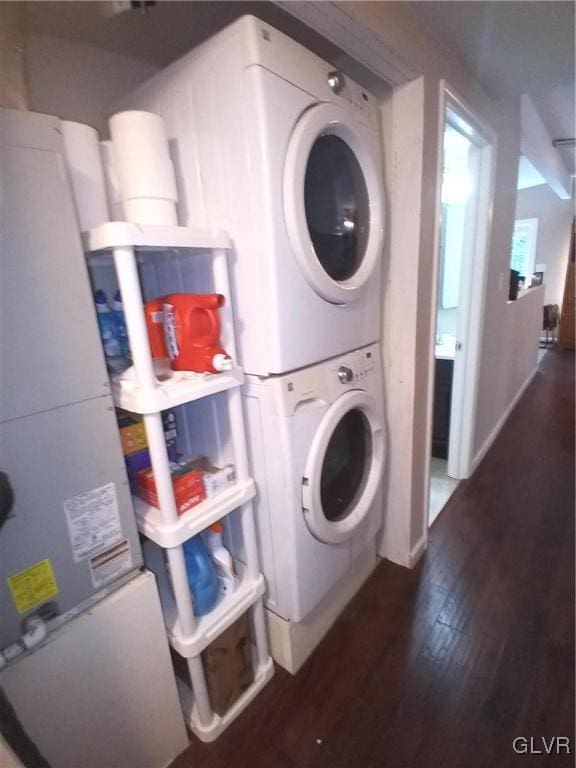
{"points": [[472, 297]]}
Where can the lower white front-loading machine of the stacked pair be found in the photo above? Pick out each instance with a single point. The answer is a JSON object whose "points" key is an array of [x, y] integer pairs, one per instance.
{"points": [[317, 445]]}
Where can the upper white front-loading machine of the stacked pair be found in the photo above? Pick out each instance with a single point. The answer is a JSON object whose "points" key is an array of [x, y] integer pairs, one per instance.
{"points": [[274, 145]]}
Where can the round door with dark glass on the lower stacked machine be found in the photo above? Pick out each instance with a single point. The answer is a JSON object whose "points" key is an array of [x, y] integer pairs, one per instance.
{"points": [[343, 468]]}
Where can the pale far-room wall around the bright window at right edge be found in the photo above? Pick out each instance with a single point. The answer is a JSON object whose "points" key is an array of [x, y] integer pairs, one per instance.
{"points": [[554, 222]]}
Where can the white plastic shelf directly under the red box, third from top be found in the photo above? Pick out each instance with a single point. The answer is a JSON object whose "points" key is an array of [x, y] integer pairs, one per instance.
{"points": [[196, 519]]}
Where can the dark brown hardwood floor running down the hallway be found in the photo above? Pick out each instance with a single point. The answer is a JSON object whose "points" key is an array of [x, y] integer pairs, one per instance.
{"points": [[445, 665]]}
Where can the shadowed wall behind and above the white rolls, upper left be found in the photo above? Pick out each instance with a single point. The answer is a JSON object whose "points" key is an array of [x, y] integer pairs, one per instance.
{"points": [[79, 82]]}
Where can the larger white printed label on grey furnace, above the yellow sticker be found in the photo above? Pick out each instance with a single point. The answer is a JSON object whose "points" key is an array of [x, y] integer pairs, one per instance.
{"points": [[93, 520]]}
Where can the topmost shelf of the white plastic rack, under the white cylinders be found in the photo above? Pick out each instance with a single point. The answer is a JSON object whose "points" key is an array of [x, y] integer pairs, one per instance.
{"points": [[124, 234]]}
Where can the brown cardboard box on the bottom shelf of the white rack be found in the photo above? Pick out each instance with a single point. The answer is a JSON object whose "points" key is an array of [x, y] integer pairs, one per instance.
{"points": [[228, 666]]}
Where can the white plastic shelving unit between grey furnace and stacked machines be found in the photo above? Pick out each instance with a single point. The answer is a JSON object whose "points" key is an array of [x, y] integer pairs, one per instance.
{"points": [[143, 392]]}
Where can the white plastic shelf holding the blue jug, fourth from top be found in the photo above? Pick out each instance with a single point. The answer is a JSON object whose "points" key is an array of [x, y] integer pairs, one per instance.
{"points": [[208, 627]]}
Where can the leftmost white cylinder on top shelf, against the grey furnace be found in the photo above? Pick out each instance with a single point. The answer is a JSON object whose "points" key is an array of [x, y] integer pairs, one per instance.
{"points": [[84, 161]]}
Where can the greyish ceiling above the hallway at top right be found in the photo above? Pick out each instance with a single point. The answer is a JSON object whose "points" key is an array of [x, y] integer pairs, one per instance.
{"points": [[514, 47]]}
